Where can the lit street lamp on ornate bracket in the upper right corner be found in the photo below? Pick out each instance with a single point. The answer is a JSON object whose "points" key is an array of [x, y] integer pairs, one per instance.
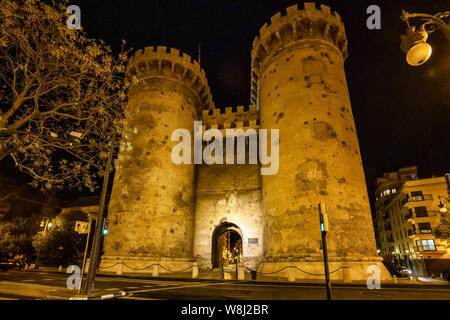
{"points": [[414, 41]]}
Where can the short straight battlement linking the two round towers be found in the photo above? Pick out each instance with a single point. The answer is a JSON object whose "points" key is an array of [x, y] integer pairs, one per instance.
{"points": [[242, 117]]}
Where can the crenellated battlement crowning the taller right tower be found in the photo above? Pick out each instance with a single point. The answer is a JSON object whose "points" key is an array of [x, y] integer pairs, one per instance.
{"points": [[284, 29]]}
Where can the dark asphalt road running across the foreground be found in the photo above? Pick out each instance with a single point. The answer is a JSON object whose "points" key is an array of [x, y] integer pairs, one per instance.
{"points": [[150, 289]]}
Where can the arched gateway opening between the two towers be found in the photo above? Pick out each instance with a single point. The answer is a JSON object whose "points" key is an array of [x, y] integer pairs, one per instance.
{"points": [[226, 245]]}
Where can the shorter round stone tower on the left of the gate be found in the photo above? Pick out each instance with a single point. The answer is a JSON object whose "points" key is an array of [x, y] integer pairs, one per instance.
{"points": [[151, 211]]}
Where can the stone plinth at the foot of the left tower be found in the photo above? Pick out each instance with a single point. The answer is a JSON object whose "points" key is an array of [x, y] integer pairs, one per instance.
{"points": [[145, 264]]}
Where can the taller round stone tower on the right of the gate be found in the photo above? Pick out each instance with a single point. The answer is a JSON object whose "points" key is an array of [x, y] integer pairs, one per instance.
{"points": [[299, 85]]}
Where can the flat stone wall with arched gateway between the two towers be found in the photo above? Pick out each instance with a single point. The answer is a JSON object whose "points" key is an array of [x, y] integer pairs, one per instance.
{"points": [[229, 192]]}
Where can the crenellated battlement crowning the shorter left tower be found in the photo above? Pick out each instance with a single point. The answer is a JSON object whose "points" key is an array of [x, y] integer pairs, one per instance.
{"points": [[164, 62]]}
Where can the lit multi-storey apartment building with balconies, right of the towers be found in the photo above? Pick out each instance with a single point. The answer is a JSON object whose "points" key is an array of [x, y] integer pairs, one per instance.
{"points": [[406, 213]]}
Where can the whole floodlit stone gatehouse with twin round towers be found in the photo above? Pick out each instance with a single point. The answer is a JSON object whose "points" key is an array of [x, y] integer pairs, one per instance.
{"points": [[177, 214]]}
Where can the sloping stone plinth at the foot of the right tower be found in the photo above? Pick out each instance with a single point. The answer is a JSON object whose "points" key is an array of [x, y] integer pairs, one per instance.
{"points": [[355, 271]]}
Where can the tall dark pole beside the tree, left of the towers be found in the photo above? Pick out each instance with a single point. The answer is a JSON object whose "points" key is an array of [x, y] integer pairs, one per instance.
{"points": [[95, 250]]}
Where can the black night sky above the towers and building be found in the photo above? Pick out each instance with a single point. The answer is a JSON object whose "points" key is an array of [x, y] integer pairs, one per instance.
{"points": [[401, 112]]}
